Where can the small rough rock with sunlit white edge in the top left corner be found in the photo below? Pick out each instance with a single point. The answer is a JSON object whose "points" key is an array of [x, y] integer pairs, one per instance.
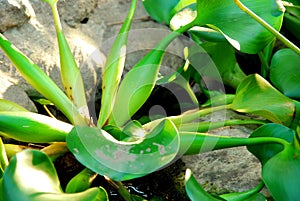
{"points": [[14, 13]]}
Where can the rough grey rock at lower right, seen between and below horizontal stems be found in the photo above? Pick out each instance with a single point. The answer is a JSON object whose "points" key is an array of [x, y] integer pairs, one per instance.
{"points": [[227, 170]]}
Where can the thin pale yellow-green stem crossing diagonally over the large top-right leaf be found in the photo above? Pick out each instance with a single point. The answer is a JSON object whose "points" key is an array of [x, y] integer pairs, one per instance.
{"points": [[278, 35]]}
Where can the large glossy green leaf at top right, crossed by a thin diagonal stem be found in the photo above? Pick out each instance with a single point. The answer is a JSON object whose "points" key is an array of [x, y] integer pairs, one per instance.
{"points": [[243, 32]]}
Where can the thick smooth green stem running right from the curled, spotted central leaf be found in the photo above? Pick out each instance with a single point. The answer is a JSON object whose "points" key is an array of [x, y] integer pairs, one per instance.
{"points": [[195, 143]]}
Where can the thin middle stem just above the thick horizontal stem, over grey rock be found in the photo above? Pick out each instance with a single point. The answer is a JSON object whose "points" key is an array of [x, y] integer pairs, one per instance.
{"points": [[207, 126]]}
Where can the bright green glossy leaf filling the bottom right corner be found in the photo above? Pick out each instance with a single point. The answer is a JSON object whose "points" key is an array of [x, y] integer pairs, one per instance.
{"points": [[281, 175]]}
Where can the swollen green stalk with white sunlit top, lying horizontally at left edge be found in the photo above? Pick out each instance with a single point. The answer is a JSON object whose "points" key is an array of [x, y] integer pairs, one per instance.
{"points": [[32, 127]]}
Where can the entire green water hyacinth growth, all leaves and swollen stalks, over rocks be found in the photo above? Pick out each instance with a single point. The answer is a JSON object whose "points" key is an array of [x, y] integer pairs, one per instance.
{"points": [[121, 148]]}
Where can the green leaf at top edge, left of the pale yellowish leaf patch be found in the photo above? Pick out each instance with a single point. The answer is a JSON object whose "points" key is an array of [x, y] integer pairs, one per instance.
{"points": [[161, 11]]}
